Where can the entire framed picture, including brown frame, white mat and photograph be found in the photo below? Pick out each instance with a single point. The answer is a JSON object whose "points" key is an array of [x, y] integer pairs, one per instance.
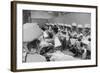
{"points": [[53, 36]]}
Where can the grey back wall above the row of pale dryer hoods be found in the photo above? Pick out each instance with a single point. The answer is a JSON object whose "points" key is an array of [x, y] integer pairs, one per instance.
{"points": [[69, 18]]}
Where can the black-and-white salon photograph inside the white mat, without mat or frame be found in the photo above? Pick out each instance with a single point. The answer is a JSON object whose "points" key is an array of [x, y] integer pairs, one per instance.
{"points": [[56, 36]]}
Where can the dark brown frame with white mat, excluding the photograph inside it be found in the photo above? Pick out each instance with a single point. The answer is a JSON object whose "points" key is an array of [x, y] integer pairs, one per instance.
{"points": [[17, 8]]}
